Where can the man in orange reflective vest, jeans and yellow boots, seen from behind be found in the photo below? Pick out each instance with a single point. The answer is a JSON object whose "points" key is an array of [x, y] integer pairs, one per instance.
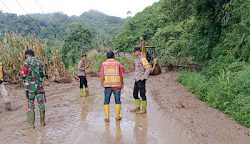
{"points": [[112, 81]]}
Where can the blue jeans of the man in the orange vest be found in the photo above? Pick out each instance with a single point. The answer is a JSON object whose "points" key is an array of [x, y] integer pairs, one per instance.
{"points": [[108, 92]]}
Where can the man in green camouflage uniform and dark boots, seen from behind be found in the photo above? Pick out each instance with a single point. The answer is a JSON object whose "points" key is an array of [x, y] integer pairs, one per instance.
{"points": [[33, 71]]}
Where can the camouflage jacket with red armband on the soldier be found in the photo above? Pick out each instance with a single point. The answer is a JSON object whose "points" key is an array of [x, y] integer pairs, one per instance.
{"points": [[33, 70]]}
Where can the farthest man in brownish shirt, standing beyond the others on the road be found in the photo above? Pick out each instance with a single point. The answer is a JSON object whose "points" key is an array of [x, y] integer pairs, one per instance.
{"points": [[82, 76]]}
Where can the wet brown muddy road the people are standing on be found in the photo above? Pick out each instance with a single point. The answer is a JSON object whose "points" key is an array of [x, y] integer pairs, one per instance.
{"points": [[174, 116]]}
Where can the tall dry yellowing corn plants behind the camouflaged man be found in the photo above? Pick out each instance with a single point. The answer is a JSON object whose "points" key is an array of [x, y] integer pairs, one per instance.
{"points": [[12, 50]]}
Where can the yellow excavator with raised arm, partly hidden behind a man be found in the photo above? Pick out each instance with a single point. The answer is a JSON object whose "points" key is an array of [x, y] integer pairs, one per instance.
{"points": [[150, 54]]}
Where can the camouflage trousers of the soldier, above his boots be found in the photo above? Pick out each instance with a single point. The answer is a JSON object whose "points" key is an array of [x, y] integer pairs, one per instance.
{"points": [[40, 96]]}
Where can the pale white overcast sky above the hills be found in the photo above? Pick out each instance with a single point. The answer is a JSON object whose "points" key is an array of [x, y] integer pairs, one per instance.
{"points": [[75, 7]]}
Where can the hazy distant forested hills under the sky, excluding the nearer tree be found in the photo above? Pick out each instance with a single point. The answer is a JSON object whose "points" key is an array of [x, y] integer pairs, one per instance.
{"points": [[58, 25]]}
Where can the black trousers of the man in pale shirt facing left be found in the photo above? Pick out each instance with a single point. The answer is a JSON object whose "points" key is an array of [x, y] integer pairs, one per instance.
{"points": [[140, 86]]}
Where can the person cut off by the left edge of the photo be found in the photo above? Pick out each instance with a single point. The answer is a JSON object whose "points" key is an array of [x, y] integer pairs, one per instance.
{"points": [[3, 90]]}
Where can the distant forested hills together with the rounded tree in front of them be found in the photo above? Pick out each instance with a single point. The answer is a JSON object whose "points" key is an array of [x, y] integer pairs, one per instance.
{"points": [[72, 36]]}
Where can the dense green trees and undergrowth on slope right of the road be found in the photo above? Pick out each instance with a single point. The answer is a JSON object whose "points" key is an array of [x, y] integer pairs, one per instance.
{"points": [[212, 33]]}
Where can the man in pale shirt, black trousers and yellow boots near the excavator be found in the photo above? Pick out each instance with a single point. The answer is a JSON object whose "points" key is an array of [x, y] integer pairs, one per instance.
{"points": [[142, 71]]}
